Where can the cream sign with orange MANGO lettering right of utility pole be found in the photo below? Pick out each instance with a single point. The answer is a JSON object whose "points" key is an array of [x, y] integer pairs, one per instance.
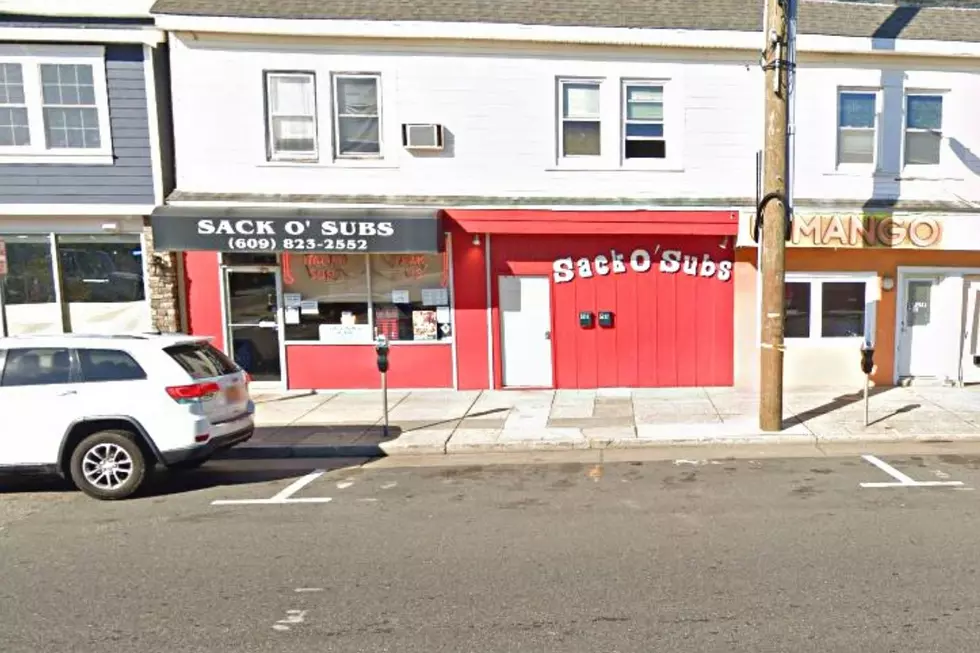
{"points": [[866, 231]]}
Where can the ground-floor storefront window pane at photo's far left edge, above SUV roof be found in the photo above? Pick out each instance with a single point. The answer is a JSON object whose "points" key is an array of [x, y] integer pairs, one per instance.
{"points": [[29, 295]]}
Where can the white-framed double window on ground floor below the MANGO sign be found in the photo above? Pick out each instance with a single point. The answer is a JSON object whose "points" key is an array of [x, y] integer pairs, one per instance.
{"points": [[829, 306]]}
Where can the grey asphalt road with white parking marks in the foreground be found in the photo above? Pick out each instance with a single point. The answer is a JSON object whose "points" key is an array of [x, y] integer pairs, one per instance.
{"points": [[751, 555]]}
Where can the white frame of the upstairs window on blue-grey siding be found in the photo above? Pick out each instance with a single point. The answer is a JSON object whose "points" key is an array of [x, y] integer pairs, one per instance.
{"points": [[30, 58]]}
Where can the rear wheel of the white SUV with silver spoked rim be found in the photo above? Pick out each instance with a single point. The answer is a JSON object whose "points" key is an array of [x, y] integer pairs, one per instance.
{"points": [[108, 465]]}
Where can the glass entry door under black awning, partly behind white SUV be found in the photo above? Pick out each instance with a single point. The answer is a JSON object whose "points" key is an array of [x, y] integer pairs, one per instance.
{"points": [[253, 332]]}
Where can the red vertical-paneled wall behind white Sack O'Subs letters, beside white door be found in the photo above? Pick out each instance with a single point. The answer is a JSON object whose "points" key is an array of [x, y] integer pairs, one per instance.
{"points": [[671, 300]]}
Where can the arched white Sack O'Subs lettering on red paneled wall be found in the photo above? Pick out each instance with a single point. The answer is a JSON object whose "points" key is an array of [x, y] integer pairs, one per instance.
{"points": [[669, 261]]}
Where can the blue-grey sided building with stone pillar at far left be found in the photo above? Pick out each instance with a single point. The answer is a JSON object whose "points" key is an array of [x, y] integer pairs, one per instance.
{"points": [[83, 162]]}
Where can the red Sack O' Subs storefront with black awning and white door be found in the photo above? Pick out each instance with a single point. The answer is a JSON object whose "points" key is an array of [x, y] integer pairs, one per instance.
{"points": [[469, 299]]}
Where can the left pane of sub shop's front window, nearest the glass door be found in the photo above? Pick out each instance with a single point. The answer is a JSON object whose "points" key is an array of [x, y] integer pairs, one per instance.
{"points": [[325, 297]]}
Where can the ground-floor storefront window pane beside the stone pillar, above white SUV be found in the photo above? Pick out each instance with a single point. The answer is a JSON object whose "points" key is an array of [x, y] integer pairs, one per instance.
{"points": [[102, 282]]}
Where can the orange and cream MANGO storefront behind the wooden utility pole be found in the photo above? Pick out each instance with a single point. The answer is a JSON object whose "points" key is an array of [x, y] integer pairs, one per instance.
{"points": [[907, 283]]}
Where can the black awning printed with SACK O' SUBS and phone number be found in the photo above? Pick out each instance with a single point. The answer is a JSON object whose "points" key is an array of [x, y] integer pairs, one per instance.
{"points": [[261, 229]]}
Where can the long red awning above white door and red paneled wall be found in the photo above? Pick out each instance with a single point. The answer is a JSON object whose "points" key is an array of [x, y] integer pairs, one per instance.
{"points": [[543, 221]]}
